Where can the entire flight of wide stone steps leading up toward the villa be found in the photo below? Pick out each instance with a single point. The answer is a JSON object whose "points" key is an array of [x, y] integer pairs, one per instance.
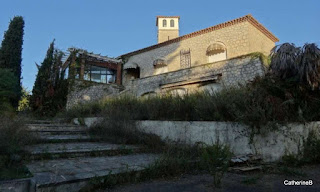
{"points": [[67, 157]]}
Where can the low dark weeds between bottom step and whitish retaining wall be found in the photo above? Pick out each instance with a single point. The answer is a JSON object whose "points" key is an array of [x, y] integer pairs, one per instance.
{"points": [[174, 161]]}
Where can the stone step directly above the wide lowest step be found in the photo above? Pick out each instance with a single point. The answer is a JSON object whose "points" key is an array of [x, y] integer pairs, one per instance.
{"points": [[79, 149]]}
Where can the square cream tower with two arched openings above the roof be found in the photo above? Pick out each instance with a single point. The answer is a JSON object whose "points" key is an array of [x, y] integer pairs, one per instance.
{"points": [[168, 27]]}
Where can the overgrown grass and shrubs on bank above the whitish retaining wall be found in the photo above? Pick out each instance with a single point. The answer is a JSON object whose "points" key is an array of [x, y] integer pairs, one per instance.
{"points": [[280, 96]]}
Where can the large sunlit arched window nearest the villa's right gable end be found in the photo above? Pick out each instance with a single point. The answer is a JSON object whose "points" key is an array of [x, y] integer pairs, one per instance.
{"points": [[216, 52]]}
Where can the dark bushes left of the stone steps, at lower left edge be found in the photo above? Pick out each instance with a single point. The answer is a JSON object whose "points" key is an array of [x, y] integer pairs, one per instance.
{"points": [[13, 137]]}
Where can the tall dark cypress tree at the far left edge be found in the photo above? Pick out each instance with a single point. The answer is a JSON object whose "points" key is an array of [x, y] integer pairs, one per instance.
{"points": [[11, 51]]}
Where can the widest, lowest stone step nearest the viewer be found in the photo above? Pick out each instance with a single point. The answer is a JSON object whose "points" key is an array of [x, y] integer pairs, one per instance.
{"points": [[73, 174]]}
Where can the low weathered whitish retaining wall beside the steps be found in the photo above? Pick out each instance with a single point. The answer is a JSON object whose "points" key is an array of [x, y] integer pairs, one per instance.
{"points": [[270, 144]]}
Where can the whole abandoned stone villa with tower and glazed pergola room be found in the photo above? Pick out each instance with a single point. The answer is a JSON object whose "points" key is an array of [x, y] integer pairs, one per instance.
{"points": [[207, 59]]}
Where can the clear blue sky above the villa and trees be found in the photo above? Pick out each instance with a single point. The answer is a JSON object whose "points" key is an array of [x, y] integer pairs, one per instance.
{"points": [[115, 27]]}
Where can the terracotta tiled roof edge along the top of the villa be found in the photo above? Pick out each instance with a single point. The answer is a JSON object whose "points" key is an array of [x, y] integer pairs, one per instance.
{"points": [[248, 18]]}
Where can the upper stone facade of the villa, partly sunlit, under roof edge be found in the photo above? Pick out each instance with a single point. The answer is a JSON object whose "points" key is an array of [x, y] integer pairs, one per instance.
{"points": [[239, 39]]}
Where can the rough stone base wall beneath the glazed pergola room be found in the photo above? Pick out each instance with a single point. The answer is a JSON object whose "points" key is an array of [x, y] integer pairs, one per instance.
{"points": [[84, 91]]}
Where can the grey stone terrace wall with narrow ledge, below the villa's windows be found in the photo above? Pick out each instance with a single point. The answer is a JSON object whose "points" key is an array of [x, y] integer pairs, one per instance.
{"points": [[228, 72]]}
